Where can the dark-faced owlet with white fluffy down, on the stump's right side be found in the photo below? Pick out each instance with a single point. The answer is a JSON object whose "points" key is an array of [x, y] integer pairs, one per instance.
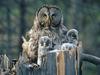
{"points": [[73, 39]]}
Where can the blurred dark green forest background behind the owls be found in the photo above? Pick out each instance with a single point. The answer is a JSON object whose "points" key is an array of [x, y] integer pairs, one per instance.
{"points": [[16, 18]]}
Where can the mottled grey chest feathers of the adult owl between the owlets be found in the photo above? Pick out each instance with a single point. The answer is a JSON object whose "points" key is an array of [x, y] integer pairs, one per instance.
{"points": [[57, 36]]}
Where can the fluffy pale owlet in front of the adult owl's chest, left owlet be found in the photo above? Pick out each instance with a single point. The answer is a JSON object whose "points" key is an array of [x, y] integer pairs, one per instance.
{"points": [[45, 45]]}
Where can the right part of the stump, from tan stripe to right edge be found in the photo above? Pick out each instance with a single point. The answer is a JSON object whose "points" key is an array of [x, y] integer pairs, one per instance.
{"points": [[68, 62]]}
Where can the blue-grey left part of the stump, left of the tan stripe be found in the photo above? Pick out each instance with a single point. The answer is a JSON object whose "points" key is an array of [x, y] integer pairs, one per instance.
{"points": [[49, 68]]}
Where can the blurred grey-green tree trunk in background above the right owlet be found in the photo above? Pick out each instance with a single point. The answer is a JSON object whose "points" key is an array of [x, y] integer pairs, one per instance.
{"points": [[75, 13]]}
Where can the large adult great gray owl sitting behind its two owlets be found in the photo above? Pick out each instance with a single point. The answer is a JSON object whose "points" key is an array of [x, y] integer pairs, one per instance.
{"points": [[48, 22]]}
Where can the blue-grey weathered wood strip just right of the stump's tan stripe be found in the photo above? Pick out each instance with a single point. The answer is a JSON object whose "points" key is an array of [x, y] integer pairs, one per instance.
{"points": [[70, 63]]}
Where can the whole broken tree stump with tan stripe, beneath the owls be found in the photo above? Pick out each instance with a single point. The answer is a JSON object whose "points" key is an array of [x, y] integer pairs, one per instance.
{"points": [[57, 63]]}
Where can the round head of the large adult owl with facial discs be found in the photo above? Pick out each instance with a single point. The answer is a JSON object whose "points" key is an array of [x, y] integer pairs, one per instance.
{"points": [[47, 17]]}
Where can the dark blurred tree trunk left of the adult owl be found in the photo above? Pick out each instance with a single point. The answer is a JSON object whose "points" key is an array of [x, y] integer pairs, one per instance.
{"points": [[22, 22]]}
